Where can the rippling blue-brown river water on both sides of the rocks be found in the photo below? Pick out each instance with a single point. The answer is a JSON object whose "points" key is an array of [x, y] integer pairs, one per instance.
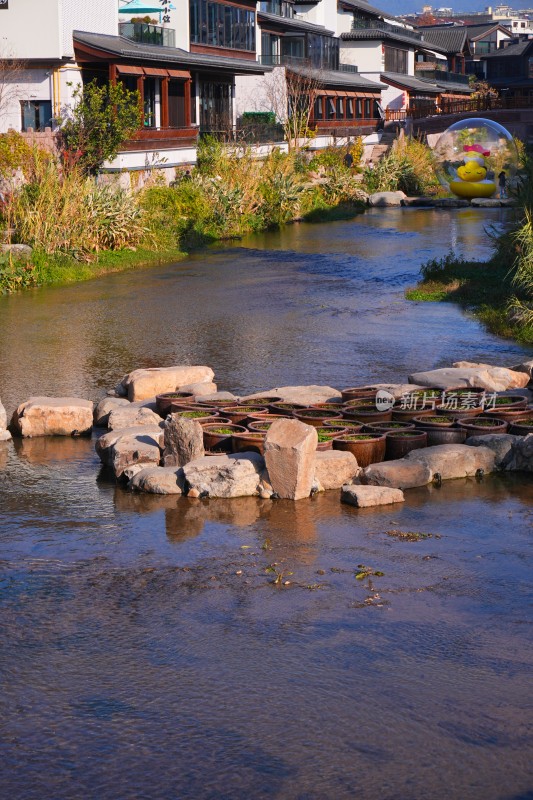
{"points": [[145, 651]]}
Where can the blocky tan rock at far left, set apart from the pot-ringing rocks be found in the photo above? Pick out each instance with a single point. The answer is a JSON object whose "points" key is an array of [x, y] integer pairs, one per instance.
{"points": [[53, 416]]}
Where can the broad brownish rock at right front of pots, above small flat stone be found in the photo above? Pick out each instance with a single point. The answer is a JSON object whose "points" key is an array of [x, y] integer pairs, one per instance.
{"points": [[454, 460]]}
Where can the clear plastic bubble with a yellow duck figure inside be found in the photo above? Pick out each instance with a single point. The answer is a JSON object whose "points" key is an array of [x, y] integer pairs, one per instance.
{"points": [[476, 158]]}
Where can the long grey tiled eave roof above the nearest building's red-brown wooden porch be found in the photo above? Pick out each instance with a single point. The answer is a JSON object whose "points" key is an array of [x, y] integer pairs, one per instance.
{"points": [[120, 47]]}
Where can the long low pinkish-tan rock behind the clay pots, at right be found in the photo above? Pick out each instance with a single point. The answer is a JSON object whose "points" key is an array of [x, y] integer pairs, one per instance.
{"points": [[465, 374]]}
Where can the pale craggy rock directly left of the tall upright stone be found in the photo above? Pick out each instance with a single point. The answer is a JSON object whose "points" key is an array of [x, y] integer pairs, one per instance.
{"points": [[235, 475]]}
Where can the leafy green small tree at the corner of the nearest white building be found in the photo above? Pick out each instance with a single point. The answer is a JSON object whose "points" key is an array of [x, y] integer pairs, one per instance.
{"points": [[101, 119]]}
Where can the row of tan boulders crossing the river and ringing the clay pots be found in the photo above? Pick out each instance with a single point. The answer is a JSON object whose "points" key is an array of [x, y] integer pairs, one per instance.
{"points": [[165, 453]]}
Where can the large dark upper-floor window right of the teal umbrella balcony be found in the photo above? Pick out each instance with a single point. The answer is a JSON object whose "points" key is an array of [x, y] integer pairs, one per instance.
{"points": [[221, 25]]}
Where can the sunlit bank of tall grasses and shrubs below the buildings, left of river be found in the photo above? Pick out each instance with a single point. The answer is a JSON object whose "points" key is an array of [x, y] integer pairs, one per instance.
{"points": [[79, 229]]}
